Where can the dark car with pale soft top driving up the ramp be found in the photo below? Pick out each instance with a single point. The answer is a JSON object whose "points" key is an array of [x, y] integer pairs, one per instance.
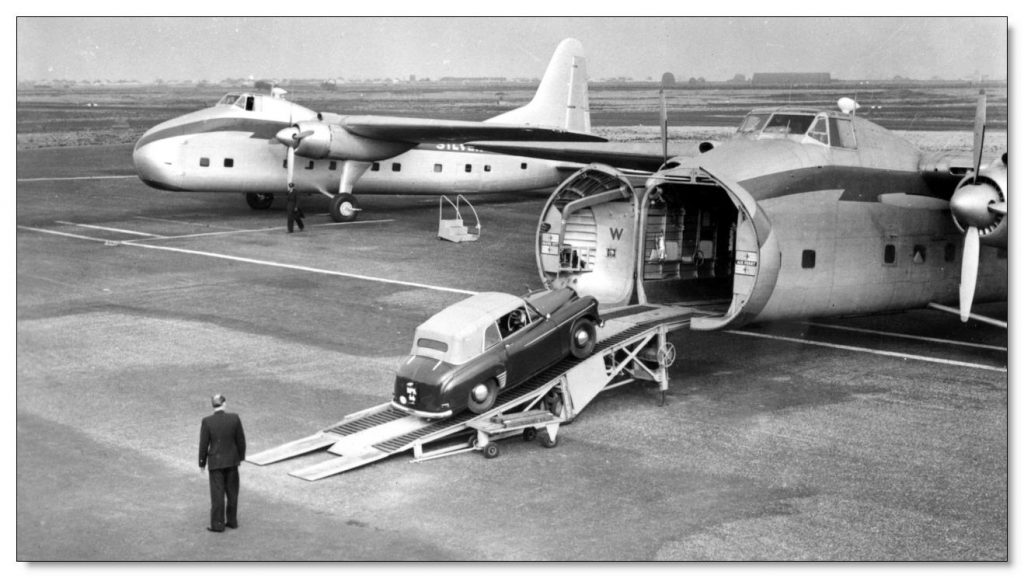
{"points": [[467, 354]]}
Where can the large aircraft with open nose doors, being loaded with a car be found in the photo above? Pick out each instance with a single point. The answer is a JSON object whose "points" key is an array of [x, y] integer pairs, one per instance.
{"points": [[803, 214]]}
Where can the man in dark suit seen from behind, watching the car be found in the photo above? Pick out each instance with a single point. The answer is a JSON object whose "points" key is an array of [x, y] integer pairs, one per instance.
{"points": [[223, 447]]}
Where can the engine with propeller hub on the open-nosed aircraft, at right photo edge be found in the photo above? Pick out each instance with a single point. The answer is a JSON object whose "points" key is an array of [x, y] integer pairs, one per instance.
{"points": [[974, 201]]}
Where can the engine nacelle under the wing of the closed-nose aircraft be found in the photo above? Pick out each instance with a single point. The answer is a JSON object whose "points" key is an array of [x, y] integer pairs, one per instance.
{"points": [[330, 141]]}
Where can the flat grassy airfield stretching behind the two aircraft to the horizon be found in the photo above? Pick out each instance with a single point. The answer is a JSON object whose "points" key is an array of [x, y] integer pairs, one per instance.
{"points": [[935, 119]]}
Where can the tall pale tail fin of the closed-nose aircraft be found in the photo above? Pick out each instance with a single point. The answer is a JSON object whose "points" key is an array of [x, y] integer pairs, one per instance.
{"points": [[562, 101]]}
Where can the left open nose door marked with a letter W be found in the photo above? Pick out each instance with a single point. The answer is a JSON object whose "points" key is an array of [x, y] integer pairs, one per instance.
{"points": [[586, 236]]}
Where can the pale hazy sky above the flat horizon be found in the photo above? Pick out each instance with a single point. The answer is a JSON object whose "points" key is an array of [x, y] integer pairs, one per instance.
{"points": [[716, 49]]}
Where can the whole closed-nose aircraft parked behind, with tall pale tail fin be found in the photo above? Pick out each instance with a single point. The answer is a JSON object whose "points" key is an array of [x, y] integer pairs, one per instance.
{"points": [[262, 145]]}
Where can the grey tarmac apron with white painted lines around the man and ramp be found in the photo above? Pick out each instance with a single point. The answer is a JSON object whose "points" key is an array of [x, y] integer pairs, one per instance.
{"points": [[880, 438]]}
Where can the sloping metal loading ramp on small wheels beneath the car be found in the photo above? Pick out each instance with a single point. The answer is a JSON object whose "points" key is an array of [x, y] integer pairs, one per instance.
{"points": [[632, 346]]}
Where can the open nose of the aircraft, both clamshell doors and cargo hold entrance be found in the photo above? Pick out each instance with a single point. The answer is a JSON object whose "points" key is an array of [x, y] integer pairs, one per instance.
{"points": [[682, 237]]}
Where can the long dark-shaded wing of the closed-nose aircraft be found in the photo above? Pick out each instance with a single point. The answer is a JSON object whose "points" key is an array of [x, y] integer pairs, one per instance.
{"points": [[429, 131]]}
